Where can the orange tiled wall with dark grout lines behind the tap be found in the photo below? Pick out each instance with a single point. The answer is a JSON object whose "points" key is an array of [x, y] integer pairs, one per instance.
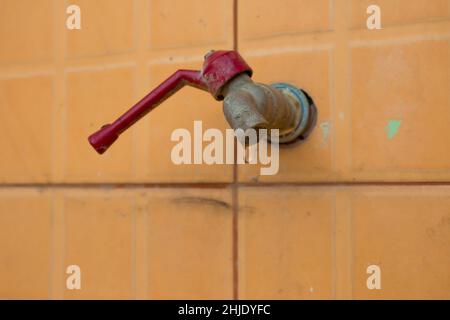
{"points": [[371, 186]]}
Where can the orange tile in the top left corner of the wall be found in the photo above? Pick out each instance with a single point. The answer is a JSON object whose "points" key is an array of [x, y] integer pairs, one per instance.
{"points": [[25, 31]]}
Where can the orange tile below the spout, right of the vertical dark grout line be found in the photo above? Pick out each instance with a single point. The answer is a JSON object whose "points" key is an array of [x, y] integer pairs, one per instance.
{"points": [[286, 243]]}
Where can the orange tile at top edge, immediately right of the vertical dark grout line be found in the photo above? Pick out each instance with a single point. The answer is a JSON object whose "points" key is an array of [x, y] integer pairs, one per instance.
{"points": [[263, 18]]}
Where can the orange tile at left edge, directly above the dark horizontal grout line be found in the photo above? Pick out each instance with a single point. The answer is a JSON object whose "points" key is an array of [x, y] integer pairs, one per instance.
{"points": [[26, 111]]}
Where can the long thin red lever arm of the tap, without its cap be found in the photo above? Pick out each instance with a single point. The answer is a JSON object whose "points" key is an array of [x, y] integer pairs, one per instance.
{"points": [[105, 137]]}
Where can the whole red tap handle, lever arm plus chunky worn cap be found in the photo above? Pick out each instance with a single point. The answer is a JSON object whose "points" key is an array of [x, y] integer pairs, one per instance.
{"points": [[219, 68]]}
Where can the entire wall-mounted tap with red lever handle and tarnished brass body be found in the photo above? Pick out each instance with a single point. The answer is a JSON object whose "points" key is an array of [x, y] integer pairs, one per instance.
{"points": [[247, 105]]}
